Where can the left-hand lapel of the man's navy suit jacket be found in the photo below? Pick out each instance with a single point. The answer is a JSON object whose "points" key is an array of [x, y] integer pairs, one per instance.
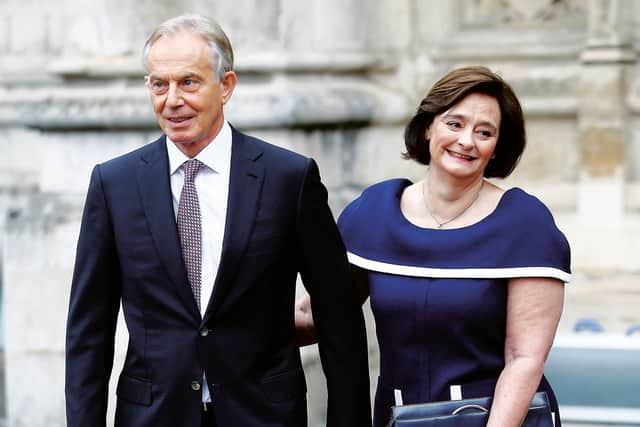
{"points": [[155, 191]]}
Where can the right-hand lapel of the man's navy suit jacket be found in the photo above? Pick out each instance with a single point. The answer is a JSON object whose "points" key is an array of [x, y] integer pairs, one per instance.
{"points": [[245, 186]]}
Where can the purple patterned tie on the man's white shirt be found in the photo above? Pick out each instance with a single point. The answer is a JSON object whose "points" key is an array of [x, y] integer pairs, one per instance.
{"points": [[189, 227]]}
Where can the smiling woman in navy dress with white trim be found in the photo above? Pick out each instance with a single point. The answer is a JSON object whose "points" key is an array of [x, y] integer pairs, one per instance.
{"points": [[466, 280]]}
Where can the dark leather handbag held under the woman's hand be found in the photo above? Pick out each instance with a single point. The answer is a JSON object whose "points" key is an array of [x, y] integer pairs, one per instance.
{"points": [[465, 413]]}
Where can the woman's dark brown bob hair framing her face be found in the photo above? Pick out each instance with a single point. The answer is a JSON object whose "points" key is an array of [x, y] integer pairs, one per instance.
{"points": [[451, 89]]}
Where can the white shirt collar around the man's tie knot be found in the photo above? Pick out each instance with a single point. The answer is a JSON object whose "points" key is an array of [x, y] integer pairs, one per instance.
{"points": [[216, 155]]}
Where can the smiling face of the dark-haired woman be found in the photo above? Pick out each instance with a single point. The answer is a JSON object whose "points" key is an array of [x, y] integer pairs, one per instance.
{"points": [[463, 138]]}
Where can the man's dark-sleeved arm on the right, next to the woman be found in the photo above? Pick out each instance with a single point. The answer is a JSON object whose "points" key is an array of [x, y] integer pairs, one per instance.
{"points": [[337, 311]]}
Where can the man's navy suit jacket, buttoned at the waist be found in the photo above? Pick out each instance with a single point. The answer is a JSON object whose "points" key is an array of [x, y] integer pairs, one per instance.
{"points": [[278, 225]]}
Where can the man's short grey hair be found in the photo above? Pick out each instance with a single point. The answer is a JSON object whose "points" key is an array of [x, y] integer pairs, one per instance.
{"points": [[210, 30]]}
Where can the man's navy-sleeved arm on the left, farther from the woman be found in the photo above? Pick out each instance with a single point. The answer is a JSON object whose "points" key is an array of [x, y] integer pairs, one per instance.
{"points": [[93, 311]]}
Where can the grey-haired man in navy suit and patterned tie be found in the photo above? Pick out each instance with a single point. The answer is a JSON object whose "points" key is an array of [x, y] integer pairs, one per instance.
{"points": [[200, 235]]}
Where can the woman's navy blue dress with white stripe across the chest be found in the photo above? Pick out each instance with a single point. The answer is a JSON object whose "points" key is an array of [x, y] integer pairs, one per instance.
{"points": [[439, 296]]}
